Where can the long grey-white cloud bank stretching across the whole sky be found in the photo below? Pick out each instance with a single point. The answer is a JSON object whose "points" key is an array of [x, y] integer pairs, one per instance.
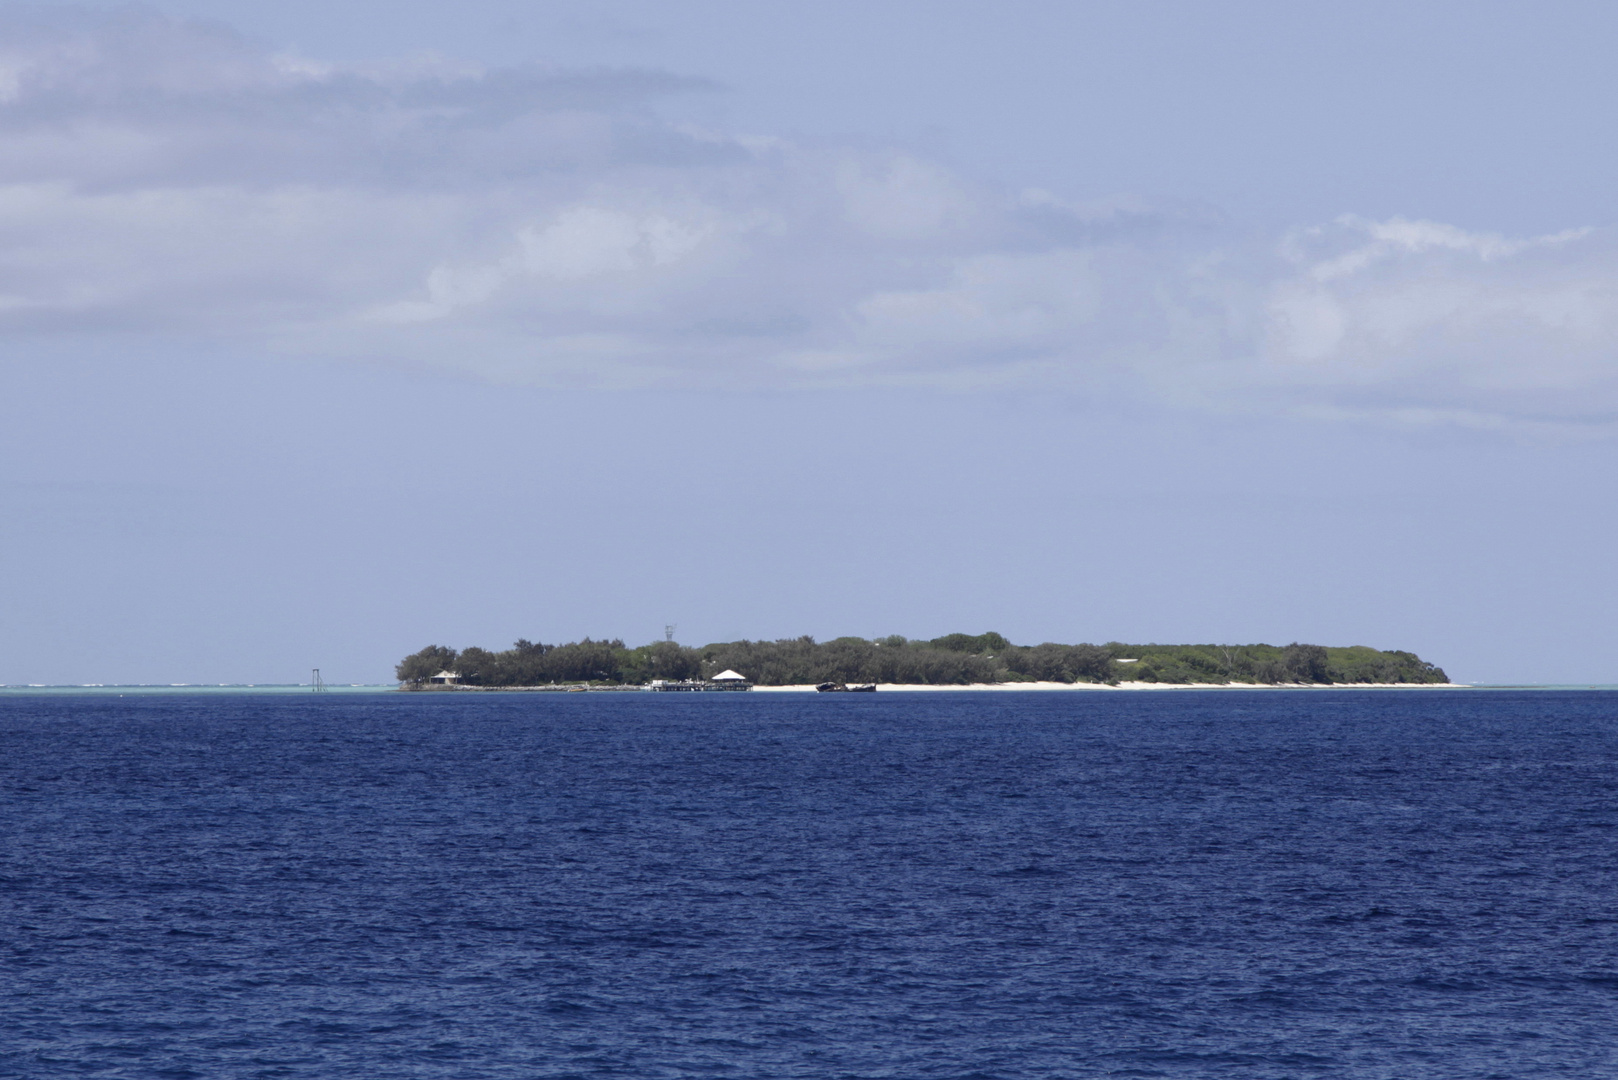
{"points": [[548, 227]]}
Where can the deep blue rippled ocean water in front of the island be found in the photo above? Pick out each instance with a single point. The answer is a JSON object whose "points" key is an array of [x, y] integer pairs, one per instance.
{"points": [[1384, 885]]}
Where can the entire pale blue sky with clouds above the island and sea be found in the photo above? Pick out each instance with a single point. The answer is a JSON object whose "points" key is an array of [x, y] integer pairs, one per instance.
{"points": [[334, 331]]}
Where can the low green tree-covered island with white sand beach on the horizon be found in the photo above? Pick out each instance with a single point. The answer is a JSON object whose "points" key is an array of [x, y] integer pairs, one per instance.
{"points": [[949, 661]]}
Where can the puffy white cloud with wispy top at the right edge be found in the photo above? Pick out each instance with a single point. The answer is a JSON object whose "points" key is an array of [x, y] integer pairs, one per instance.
{"points": [[1449, 321]]}
